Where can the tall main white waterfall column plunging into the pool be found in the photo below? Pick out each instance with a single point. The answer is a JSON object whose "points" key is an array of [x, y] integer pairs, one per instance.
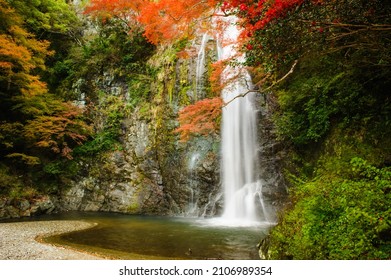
{"points": [[242, 188]]}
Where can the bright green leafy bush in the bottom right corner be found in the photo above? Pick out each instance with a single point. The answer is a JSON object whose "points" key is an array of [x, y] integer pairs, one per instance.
{"points": [[339, 217]]}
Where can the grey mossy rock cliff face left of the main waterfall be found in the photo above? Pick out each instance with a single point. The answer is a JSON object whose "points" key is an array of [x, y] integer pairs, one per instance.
{"points": [[150, 172]]}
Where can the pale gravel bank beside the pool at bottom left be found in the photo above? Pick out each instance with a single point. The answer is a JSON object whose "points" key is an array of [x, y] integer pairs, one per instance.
{"points": [[18, 241]]}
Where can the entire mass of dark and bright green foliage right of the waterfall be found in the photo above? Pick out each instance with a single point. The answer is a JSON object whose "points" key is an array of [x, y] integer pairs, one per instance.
{"points": [[335, 110]]}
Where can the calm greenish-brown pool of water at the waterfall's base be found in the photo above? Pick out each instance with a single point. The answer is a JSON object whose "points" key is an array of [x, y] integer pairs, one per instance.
{"points": [[143, 237]]}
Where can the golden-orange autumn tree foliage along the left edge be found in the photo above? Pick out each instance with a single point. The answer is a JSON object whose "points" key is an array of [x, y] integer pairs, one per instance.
{"points": [[35, 118]]}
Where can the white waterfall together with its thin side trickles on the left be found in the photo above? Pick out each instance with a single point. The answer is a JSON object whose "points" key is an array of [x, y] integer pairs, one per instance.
{"points": [[240, 168]]}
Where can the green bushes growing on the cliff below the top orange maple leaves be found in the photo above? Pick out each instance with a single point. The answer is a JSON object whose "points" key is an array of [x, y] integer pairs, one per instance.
{"points": [[121, 52]]}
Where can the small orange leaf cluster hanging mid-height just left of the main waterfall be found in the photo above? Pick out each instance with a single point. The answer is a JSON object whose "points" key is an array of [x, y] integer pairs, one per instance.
{"points": [[200, 118]]}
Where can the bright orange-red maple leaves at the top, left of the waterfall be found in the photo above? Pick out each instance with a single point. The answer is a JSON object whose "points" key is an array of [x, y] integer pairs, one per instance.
{"points": [[163, 20]]}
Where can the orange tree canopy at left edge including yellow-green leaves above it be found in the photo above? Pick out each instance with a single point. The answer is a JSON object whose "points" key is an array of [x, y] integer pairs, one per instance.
{"points": [[36, 127]]}
